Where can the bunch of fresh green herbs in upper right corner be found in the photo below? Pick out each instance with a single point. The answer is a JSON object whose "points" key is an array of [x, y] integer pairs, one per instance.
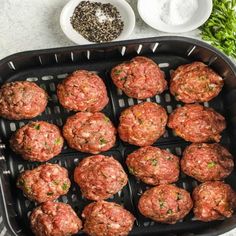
{"points": [[220, 28]]}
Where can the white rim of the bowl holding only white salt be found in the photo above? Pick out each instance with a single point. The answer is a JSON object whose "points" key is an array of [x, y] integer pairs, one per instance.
{"points": [[178, 28]]}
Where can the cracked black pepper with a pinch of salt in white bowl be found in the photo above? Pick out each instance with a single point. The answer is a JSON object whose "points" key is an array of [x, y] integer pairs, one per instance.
{"points": [[97, 22]]}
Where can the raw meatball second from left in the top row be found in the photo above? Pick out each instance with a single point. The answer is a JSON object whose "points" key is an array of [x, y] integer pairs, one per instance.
{"points": [[83, 91]]}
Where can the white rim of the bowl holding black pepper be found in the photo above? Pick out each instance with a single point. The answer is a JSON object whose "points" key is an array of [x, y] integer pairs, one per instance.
{"points": [[79, 39]]}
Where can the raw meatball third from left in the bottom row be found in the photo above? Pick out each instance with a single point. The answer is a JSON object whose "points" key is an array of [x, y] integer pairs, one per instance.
{"points": [[165, 204]]}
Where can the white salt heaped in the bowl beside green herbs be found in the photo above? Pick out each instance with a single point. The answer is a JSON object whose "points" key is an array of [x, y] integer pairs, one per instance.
{"points": [[176, 12]]}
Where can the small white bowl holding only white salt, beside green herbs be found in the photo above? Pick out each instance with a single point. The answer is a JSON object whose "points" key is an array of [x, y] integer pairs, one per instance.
{"points": [[148, 12]]}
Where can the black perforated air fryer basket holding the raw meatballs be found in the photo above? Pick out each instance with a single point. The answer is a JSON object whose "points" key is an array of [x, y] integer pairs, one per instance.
{"points": [[48, 67]]}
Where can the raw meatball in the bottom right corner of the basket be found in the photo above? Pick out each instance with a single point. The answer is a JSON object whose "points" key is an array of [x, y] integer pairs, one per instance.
{"points": [[213, 201]]}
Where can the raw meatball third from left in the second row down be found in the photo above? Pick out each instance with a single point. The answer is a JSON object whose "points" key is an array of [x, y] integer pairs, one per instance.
{"points": [[142, 124]]}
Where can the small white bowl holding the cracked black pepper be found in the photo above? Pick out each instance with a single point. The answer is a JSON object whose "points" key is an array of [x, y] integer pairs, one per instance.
{"points": [[125, 10]]}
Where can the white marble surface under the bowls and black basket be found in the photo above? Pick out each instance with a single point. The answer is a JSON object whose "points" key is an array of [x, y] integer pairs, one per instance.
{"points": [[34, 24]]}
